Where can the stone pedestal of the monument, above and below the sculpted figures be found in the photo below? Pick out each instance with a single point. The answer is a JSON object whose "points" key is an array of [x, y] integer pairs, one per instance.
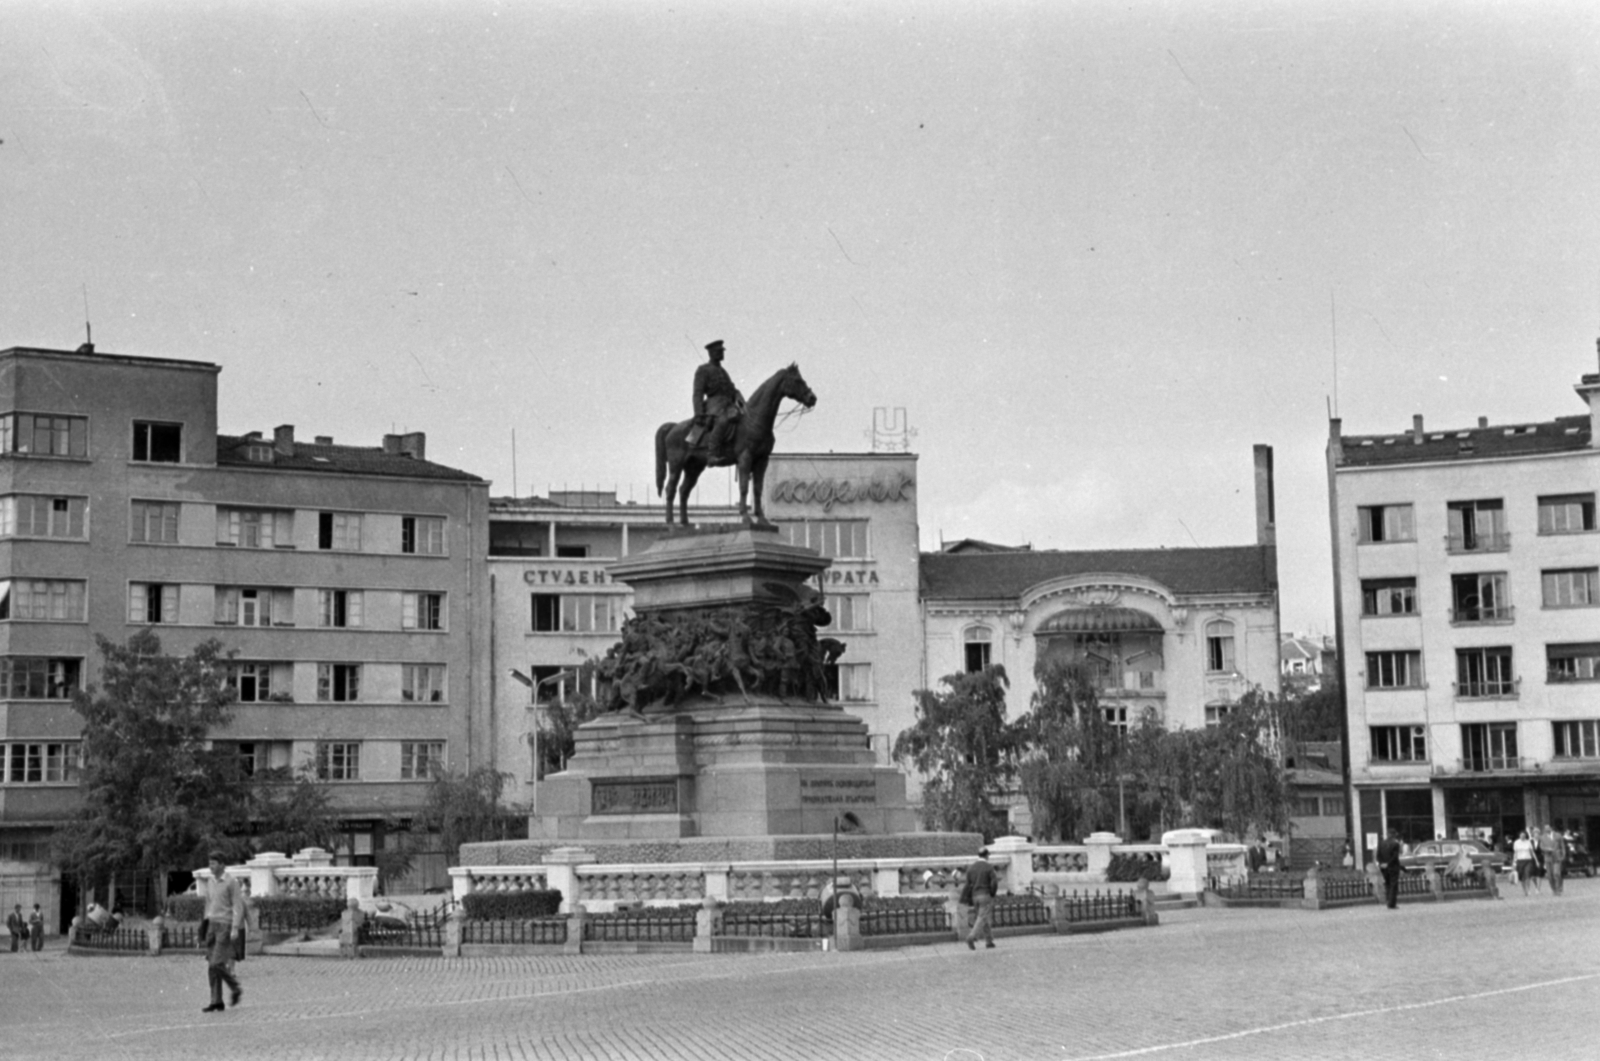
{"points": [[732, 766]]}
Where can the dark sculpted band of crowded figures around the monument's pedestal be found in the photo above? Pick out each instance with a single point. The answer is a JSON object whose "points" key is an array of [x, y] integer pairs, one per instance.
{"points": [[758, 651]]}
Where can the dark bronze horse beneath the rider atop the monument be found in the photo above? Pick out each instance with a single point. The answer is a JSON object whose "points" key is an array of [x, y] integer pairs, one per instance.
{"points": [[753, 444]]}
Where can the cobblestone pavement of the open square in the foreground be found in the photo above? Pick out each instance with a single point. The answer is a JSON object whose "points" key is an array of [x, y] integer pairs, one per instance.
{"points": [[1513, 979]]}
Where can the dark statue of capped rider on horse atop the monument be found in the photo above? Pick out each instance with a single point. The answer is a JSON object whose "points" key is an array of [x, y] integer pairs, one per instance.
{"points": [[726, 430]]}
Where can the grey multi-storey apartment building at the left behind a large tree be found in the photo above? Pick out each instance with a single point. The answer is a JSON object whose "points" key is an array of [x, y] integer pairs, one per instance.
{"points": [[348, 580]]}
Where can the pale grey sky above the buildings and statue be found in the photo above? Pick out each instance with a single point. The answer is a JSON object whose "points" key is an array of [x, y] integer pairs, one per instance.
{"points": [[1095, 250]]}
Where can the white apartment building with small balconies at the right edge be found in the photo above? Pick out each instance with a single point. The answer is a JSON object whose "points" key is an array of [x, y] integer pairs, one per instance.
{"points": [[1466, 601]]}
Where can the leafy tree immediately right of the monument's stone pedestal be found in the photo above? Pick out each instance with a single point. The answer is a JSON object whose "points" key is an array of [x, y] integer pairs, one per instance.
{"points": [[966, 750]]}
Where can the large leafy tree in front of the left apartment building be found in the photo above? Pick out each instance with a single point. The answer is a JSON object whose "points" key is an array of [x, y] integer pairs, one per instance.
{"points": [[154, 796]]}
